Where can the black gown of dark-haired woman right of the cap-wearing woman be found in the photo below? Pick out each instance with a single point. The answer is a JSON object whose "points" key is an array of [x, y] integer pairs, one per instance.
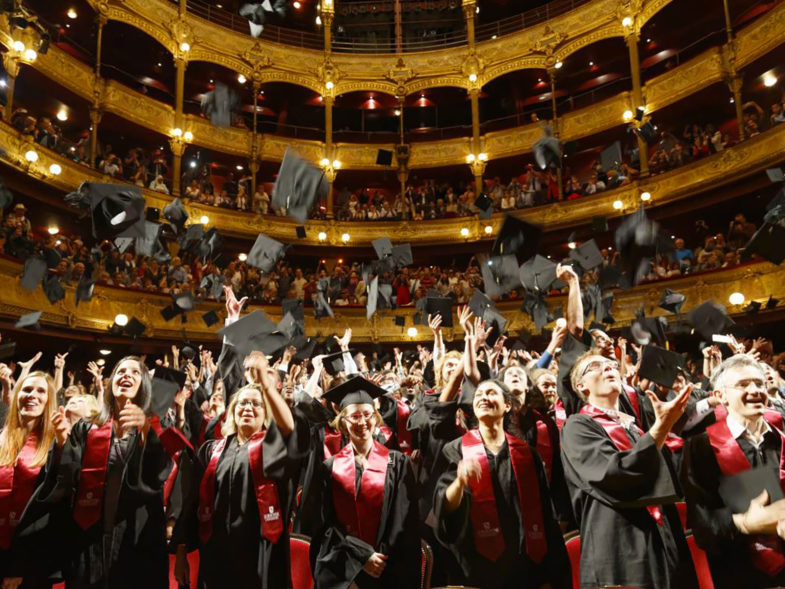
{"points": [[513, 569]]}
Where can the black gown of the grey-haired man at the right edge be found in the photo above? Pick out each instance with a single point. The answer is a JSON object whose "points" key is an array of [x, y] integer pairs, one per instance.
{"points": [[711, 519]]}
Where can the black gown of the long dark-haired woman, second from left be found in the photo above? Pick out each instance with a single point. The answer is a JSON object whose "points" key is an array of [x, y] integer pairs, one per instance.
{"points": [[126, 547]]}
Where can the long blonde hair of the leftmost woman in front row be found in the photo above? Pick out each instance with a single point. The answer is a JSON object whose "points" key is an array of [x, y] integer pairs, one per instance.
{"points": [[14, 436]]}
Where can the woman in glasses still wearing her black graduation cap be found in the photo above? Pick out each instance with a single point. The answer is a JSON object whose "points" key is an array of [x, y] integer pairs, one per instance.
{"points": [[370, 533]]}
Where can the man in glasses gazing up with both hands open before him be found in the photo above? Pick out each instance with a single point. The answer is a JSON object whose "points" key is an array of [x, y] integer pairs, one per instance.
{"points": [[621, 487]]}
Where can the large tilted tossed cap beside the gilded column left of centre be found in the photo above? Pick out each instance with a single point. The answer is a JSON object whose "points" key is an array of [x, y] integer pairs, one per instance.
{"points": [[298, 186]]}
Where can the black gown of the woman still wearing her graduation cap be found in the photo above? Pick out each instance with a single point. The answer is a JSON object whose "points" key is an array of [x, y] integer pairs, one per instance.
{"points": [[337, 558]]}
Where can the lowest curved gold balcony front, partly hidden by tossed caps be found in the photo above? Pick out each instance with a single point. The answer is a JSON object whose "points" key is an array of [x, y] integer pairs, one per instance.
{"points": [[756, 281]]}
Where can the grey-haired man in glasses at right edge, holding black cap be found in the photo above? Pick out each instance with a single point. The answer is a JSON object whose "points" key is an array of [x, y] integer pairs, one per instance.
{"points": [[735, 515]]}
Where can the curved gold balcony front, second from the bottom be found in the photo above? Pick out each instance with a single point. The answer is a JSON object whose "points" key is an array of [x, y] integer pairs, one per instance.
{"points": [[730, 165]]}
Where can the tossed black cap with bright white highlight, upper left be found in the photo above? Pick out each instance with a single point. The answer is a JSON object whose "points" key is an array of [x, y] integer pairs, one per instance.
{"points": [[117, 209]]}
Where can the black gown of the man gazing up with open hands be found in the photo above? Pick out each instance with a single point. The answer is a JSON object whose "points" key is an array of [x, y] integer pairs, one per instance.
{"points": [[621, 544]]}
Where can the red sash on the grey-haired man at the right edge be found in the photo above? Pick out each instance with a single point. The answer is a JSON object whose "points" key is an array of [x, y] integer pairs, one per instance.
{"points": [[765, 551]]}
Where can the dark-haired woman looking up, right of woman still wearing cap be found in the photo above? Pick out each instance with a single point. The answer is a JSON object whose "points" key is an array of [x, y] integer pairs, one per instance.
{"points": [[492, 505]]}
